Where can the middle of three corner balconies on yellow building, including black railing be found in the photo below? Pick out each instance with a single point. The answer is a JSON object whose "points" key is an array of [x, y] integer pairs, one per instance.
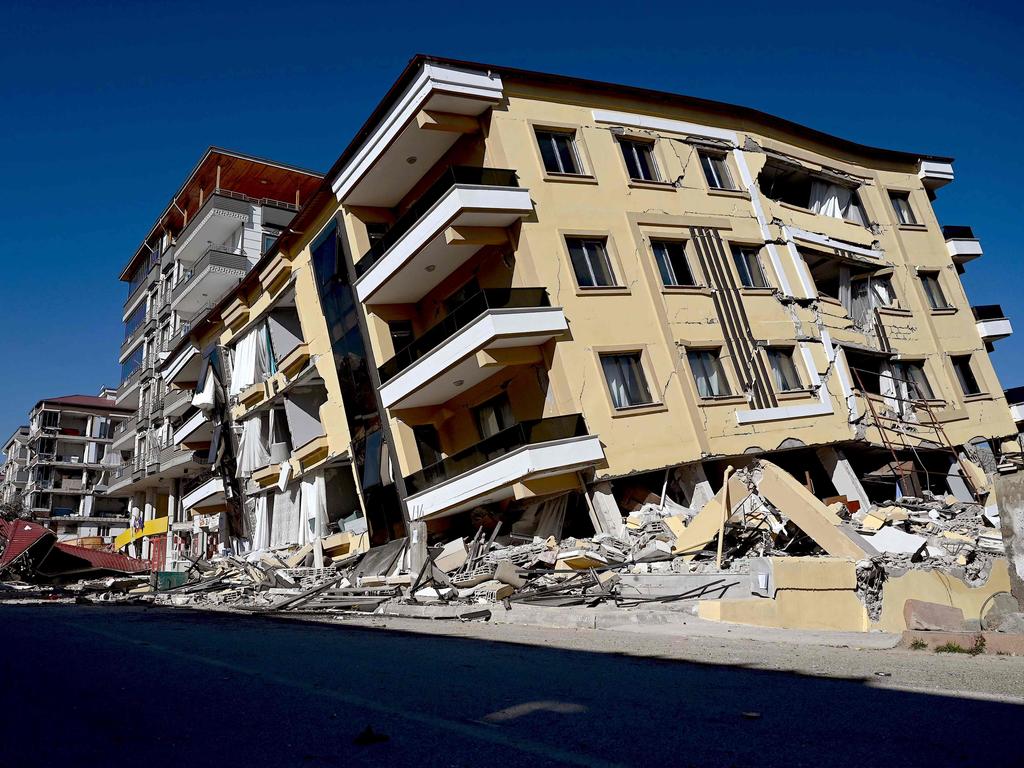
{"points": [[493, 330]]}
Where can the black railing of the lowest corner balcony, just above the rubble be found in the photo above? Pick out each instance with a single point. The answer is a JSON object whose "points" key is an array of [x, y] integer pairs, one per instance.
{"points": [[525, 434]]}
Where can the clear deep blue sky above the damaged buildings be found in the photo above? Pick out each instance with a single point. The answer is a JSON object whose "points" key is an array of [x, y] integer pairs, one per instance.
{"points": [[106, 107]]}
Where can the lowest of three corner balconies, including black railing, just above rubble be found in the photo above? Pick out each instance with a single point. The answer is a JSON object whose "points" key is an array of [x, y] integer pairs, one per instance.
{"points": [[492, 471]]}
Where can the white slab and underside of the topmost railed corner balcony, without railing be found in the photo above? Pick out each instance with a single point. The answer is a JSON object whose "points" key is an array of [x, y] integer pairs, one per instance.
{"points": [[422, 259]]}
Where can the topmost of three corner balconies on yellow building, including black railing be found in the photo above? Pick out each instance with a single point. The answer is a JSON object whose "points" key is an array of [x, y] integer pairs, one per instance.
{"points": [[464, 210]]}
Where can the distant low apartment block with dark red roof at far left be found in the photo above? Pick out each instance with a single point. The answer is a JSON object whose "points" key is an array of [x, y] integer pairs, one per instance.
{"points": [[70, 459]]}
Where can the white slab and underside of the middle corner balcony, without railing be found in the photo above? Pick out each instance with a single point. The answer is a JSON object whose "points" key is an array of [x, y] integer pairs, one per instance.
{"points": [[452, 367]]}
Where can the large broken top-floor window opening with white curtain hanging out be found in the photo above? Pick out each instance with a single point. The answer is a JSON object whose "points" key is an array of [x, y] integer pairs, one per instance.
{"points": [[818, 193]]}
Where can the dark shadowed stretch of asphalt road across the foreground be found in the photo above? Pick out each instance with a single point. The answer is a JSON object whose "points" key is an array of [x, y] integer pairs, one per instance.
{"points": [[148, 688]]}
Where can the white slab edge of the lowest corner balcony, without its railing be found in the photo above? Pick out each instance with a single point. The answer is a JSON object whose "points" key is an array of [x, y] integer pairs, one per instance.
{"points": [[495, 481]]}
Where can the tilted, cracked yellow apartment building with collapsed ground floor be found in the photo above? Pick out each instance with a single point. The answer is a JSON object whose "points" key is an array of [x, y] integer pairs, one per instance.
{"points": [[520, 297]]}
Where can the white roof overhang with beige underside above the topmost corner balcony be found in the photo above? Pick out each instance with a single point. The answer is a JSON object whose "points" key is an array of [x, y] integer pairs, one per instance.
{"points": [[380, 172]]}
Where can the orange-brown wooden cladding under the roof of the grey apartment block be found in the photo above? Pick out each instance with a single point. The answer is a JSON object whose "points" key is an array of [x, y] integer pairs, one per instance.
{"points": [[250, 177]]}
